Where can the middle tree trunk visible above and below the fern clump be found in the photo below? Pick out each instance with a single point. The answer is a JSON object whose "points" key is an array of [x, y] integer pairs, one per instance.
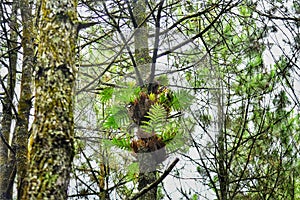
{"points": [[147, 172]]}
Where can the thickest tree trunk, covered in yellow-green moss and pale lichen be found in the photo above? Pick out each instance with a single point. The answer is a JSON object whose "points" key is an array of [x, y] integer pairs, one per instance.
{"points": [[51, 144]]}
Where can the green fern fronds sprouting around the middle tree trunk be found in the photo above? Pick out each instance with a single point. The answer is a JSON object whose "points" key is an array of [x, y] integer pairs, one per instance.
{"points": [[157, 122]]}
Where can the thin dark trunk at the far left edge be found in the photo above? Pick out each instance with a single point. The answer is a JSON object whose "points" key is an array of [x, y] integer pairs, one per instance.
{"points": [[7, 172]]}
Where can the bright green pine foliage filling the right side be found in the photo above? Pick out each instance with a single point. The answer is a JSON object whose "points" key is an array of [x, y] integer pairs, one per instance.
{"points": [[256, 124]]}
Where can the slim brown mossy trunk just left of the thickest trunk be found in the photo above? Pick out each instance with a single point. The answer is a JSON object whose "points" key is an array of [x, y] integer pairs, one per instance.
{"points": [[21, 132]]}
